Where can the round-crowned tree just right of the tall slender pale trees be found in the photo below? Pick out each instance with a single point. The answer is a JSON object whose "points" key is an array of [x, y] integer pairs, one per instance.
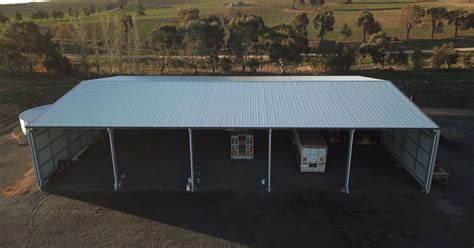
{"points": [[166, 42]]}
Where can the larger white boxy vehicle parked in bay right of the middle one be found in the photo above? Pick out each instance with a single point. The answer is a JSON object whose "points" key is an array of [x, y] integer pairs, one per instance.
{"points": [[312, 150]]}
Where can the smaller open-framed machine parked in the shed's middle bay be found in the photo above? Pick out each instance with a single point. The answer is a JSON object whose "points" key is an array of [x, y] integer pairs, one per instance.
{"points": [[241, 143]]}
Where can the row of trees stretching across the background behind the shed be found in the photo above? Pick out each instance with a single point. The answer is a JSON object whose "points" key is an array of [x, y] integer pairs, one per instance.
{"points": [[215, 44]]}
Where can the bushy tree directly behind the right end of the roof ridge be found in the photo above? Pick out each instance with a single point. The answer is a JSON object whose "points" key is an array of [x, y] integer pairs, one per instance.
{"points": [[377, 47]]}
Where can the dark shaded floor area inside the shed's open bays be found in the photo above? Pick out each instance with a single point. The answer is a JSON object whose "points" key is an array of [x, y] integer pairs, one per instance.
{"points": [[159, 160]]}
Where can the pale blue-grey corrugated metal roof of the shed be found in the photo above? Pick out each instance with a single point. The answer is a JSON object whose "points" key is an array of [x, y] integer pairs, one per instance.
{"points": [[235, 102]]}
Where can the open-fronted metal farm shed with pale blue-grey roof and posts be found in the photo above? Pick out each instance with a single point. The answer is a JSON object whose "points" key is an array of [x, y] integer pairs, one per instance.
{"points": [[350, 103]]}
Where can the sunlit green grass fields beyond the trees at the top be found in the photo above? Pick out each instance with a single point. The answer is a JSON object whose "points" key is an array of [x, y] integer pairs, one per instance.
{"points": [[273, 11]]}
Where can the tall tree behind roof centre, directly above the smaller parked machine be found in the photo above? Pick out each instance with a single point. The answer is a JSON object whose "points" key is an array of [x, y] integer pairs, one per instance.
{"points": [[244, 36]]}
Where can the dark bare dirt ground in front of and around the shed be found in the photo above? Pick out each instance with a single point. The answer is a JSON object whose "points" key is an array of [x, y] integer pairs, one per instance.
{"points": [[392, 213]]}
